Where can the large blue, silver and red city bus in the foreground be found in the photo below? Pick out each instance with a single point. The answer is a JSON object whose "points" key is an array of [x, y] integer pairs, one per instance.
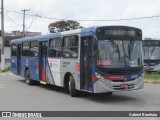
{"points": [[102, 59]]}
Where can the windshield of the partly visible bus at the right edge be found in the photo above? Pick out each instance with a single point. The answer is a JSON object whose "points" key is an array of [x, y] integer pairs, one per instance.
{"points": [[151, 53]]}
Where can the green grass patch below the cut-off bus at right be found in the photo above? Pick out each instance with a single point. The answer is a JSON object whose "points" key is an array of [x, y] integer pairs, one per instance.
{"points": [[152, 78]]}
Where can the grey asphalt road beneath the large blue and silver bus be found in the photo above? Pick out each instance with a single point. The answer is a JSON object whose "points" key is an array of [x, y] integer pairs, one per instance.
{"points": [[16, 95]]}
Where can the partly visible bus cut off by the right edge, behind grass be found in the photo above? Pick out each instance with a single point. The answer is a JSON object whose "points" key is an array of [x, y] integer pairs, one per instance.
{"points": [[151, 55]]}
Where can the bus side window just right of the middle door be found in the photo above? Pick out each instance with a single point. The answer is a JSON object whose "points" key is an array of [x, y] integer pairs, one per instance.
{"points": [[55, 47]]}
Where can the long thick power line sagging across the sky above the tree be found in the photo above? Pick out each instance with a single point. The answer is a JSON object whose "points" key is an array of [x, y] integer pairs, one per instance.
{"points": [[85, 20]]}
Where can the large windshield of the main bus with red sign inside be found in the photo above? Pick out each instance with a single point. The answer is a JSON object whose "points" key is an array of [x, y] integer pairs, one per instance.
{"points": [[119, 53]]}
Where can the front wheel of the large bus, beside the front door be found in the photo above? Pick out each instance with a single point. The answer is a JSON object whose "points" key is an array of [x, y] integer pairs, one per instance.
{"points": [[72, 87]]}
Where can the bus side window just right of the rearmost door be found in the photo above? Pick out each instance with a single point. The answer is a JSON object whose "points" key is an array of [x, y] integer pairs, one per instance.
{"points": [[25, 49]]}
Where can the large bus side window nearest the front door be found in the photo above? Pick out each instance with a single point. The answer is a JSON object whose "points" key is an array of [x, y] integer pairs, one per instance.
{"points": [[70, 47]]}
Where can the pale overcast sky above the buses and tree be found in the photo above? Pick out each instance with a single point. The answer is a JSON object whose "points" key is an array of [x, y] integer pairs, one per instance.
{"points": [[86, 10]]}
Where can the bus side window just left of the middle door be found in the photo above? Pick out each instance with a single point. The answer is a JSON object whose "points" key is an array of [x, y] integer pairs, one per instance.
{"points": [[34, 49]]}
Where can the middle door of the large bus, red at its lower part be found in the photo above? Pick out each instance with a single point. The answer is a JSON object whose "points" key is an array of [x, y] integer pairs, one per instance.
{"points": [[42, 60]]}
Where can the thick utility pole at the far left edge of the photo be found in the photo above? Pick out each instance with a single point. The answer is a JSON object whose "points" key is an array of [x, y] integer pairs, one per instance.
{"points": [[2, 34]]}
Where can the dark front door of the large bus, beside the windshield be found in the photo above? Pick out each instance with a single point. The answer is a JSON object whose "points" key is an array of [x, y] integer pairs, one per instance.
{"points": [[86, 63]]}
